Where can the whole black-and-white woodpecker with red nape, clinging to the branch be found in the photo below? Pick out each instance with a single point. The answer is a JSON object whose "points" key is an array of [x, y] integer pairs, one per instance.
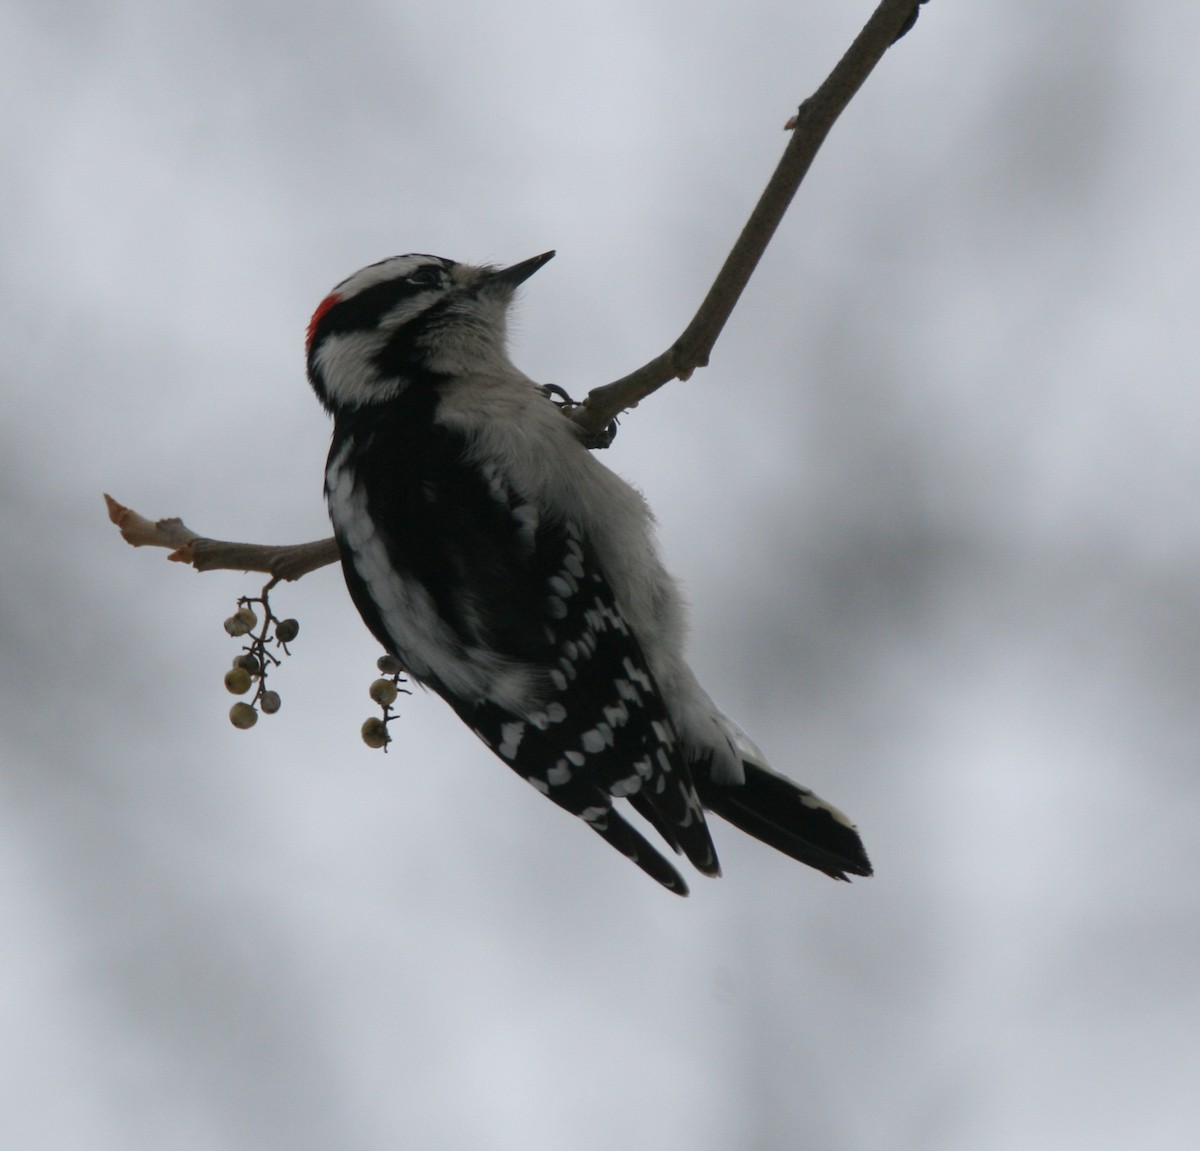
{"points": [[519, 578]]}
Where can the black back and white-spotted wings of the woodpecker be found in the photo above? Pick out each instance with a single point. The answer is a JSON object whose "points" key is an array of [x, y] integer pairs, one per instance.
{"points": [[505, 580]]}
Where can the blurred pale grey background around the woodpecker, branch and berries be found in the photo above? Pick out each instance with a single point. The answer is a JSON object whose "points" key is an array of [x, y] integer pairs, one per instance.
{"points": [[934, 502]]}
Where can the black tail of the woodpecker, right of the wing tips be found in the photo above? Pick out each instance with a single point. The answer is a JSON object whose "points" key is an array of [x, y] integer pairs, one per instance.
{"points": [[790, 819]]}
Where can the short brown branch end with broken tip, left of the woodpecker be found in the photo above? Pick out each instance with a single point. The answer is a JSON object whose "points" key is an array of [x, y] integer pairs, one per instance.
{"points": [[285, 562]]}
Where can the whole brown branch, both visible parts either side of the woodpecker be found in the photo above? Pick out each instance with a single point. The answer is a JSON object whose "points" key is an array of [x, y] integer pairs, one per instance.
{"points": [[809, 128]]}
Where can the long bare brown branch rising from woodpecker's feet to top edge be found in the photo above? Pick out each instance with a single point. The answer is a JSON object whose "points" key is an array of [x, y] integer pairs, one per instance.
{"points": [[811, 128]]}
